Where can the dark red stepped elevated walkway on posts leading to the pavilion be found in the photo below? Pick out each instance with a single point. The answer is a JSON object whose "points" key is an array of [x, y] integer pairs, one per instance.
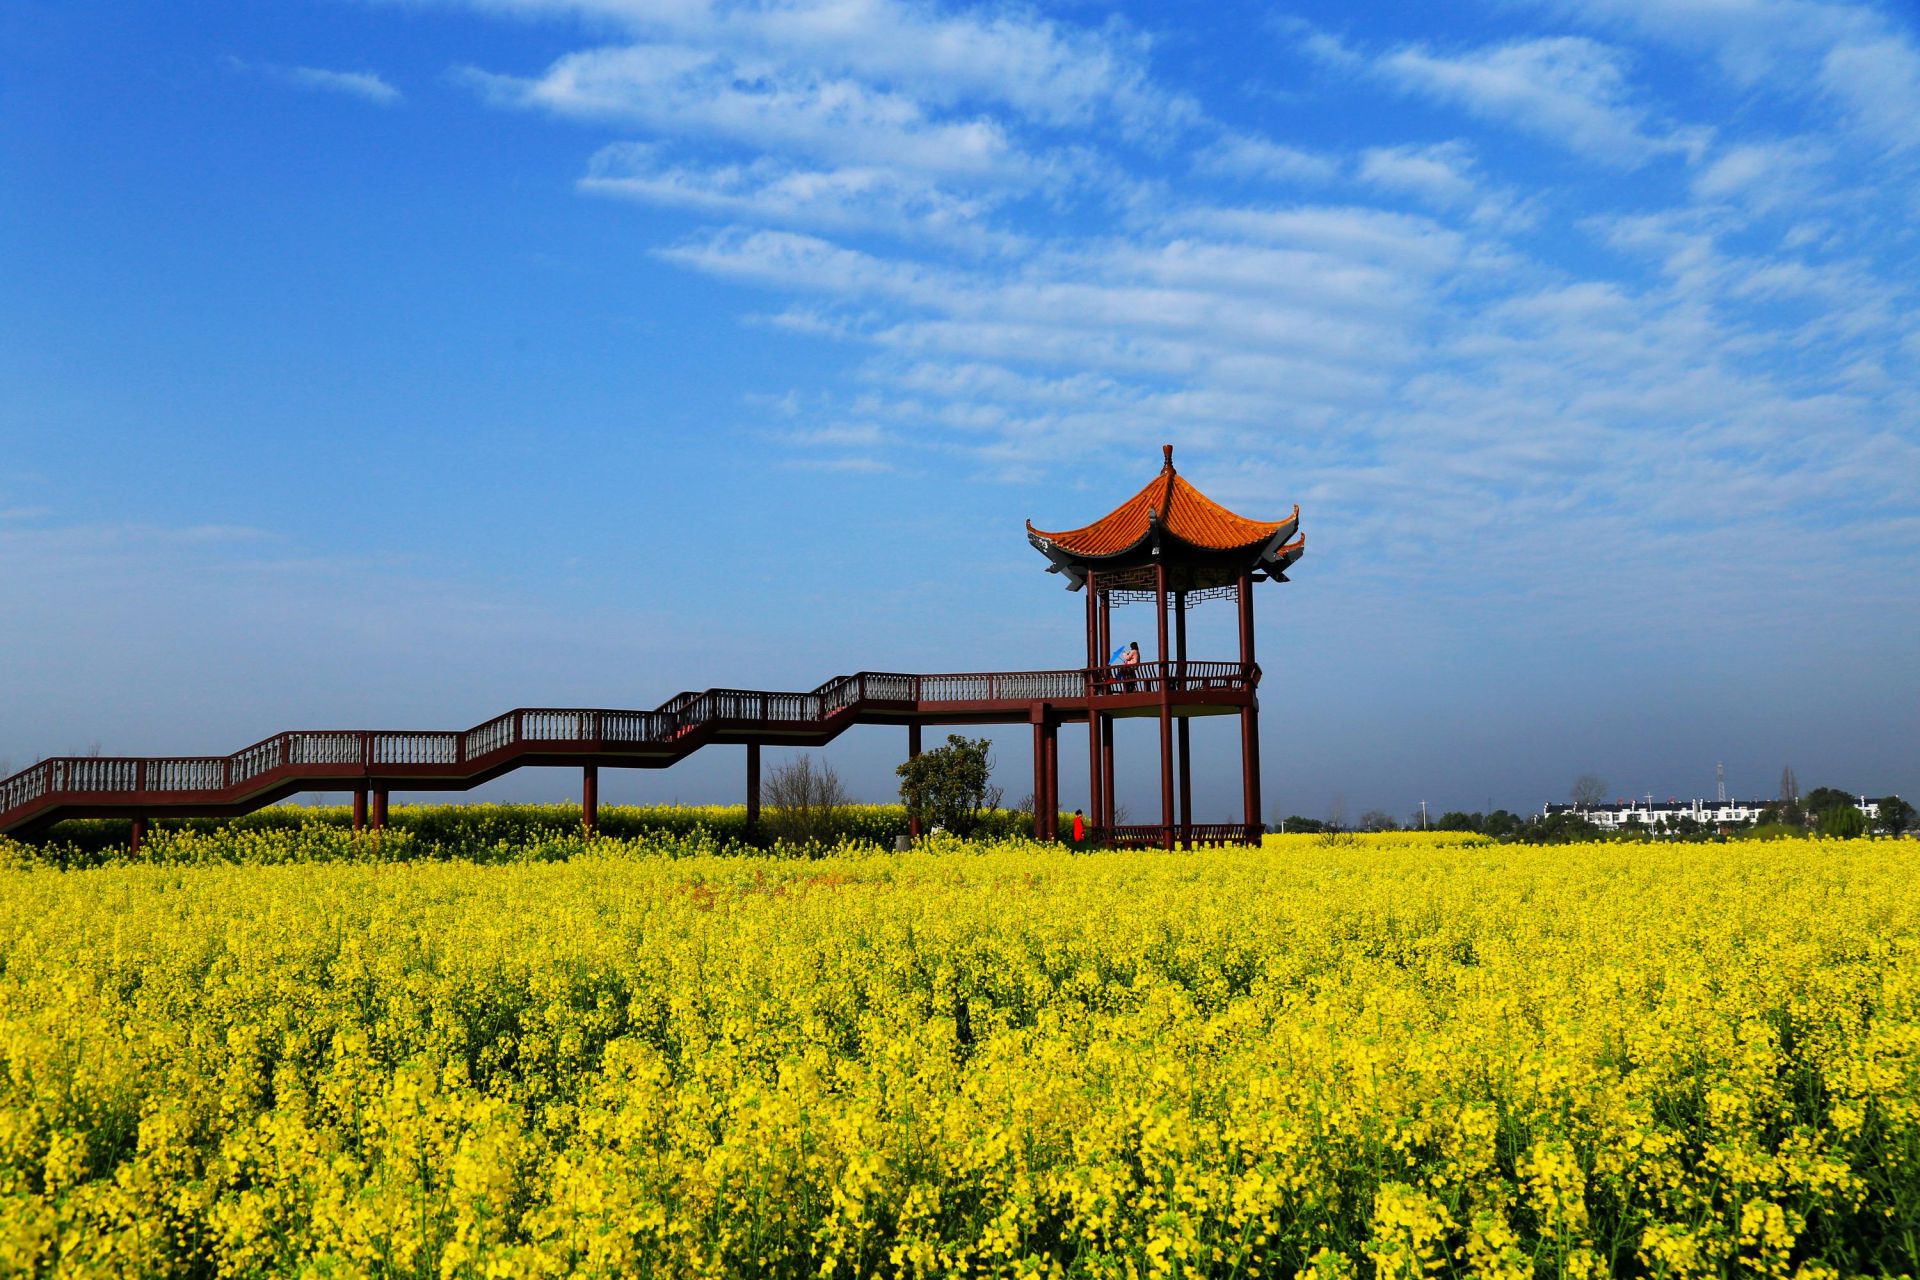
{"points": [[379, 761]]}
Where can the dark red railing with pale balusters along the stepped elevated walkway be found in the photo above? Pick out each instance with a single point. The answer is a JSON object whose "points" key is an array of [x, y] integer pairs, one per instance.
{"points": [[679, 726]]}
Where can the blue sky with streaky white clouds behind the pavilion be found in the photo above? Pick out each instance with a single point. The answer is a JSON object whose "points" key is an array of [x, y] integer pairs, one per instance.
{"points": [[396, 364]]}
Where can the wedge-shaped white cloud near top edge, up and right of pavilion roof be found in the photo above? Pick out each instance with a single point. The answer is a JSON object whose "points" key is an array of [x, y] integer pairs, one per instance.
{"points": [[1566, 89]]}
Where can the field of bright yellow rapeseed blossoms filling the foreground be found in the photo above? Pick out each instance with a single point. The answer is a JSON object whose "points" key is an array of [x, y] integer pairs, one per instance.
{"points": [[1399, 1056]]}
